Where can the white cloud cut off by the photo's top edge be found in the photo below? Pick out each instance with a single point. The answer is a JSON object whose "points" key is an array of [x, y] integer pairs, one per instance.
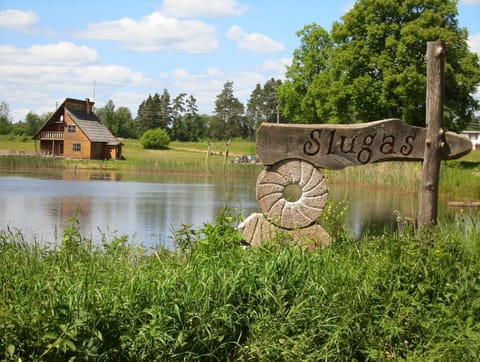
{"points": [[202, 8]]}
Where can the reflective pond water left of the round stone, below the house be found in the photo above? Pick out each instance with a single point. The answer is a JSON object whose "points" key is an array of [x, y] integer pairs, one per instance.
{"points": [[145, 211]]}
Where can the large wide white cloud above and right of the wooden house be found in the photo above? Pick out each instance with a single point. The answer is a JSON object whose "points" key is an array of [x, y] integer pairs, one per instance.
{"points": [[156, 32]]}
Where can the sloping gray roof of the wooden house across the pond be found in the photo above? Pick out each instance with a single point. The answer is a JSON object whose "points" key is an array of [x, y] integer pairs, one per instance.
{"points": [[93, 128]]}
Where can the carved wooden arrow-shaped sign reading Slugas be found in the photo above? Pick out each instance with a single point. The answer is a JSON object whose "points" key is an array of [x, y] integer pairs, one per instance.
{"points": [[335, 146]]}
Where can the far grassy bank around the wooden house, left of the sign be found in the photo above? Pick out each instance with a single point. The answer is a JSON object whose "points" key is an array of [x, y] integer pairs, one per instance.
{"points": [[180, 157]]}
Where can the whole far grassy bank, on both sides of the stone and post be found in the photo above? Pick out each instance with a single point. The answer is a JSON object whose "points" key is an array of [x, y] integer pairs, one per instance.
{"points": [[460, 179]]}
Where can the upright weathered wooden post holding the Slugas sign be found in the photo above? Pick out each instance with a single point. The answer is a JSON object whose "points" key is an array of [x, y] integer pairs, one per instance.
{"points": [[435, 137]]}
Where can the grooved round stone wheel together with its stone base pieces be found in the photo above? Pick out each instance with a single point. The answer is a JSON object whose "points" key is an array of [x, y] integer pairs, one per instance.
{"points": [[292, 195]]}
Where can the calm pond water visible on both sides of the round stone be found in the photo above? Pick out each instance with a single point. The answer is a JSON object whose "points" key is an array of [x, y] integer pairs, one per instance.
{"points": [[149, 207]]}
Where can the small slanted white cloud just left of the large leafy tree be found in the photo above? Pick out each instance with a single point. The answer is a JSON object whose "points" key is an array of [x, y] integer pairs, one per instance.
{"points": [[254, 41]]}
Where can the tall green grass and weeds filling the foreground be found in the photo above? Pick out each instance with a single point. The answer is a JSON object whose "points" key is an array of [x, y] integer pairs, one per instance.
{"points": [[381, 298]]}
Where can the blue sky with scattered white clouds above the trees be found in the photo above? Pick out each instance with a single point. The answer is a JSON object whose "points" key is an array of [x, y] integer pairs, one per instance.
{"points": [[125, 50]]}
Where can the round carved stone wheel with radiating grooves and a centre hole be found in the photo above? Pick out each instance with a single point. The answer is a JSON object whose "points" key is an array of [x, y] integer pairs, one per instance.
{"points": [[276, 208]]}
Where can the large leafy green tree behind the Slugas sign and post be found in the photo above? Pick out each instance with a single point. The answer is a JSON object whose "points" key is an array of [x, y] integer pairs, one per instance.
{"points": [[372, 66]]}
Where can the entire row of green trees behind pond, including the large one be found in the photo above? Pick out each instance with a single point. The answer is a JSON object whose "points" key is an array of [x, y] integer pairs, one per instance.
{"points": [[371, 65]]}
